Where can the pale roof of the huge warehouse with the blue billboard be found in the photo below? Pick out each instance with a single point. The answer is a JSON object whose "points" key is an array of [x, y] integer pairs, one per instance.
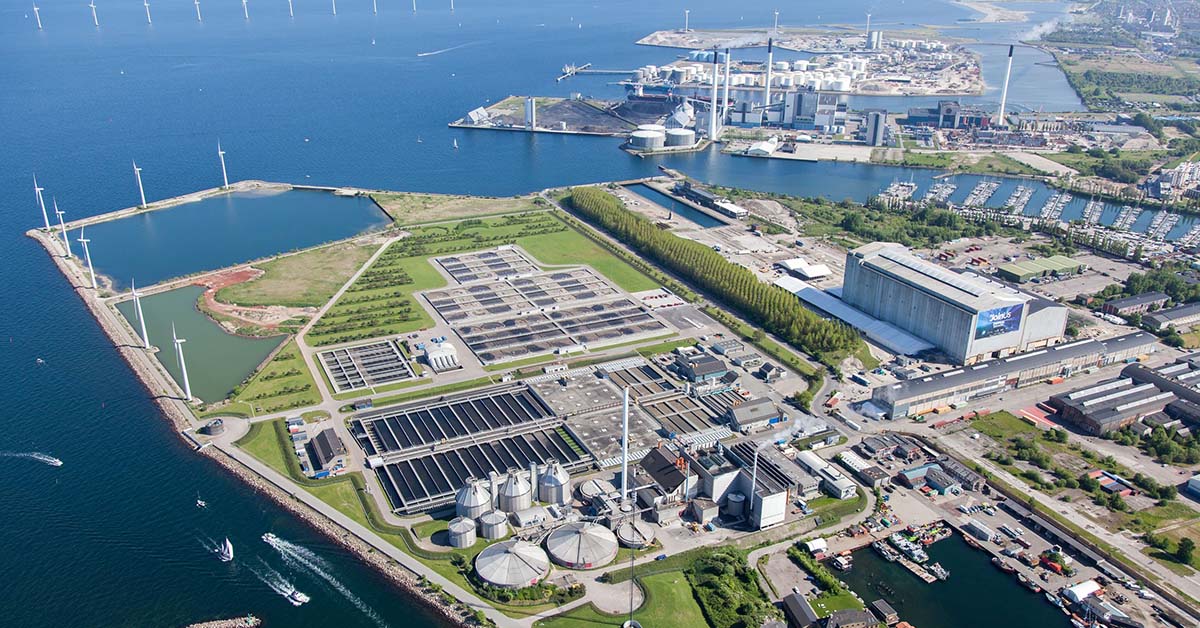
{"points": [[963, 291]]}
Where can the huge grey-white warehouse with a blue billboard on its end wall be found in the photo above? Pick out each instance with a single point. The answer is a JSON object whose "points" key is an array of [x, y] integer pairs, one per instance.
{"points": [[965, 316]]}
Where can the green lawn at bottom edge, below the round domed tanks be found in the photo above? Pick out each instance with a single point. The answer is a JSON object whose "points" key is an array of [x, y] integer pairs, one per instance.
{"points": [[669, 602]]}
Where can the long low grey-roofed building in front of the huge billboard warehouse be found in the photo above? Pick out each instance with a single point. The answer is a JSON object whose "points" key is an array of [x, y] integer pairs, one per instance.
{"points": [[961, 386]]}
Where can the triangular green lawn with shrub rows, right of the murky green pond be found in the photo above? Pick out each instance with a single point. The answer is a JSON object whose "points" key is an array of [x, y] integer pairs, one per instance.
{"points": [[285, 384]]}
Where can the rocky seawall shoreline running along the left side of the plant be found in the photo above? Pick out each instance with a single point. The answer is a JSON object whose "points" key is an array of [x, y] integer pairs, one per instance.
{"points": [[447, 607]]}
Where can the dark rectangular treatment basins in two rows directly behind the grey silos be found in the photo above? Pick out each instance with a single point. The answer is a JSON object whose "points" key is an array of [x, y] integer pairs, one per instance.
{"points": [[424, 452]]}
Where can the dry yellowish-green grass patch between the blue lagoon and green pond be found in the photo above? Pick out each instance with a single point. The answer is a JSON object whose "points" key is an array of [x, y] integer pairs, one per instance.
{"points": [[302, 280]]}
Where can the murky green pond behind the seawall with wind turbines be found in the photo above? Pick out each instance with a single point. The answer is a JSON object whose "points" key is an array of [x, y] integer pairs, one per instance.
{"points": [[217, 362]]}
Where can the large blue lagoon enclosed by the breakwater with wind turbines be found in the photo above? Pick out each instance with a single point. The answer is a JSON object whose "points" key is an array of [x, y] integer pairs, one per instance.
{"points": [[223, 231]]}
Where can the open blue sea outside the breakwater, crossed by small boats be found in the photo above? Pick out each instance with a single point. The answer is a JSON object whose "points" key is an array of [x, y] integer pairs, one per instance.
{"points": [[111, 539]]}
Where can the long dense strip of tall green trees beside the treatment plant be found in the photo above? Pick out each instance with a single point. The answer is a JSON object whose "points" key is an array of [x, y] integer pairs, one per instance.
{"points": [[771, 308]]}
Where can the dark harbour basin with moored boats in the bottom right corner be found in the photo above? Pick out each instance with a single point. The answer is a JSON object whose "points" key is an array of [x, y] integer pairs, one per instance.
{"points": [[976, 595]]}
